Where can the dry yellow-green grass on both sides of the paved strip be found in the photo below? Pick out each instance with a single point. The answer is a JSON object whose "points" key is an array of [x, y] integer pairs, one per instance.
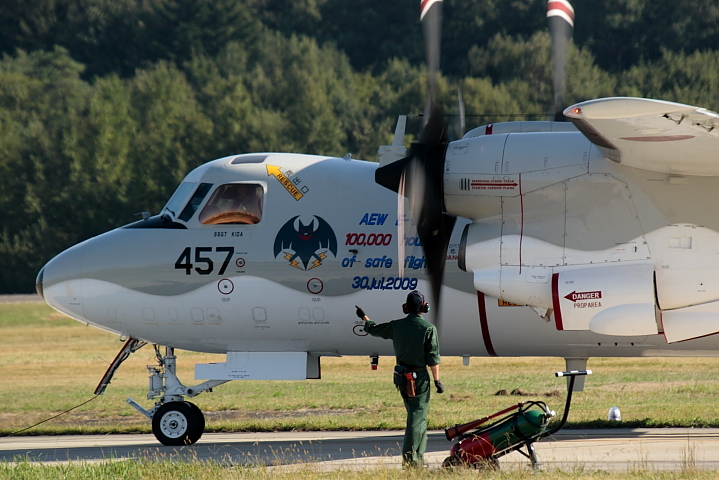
{"points": [[49, 364]]}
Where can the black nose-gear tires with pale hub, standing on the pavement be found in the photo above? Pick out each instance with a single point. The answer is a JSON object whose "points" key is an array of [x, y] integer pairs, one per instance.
{"points": [[178, 423]]}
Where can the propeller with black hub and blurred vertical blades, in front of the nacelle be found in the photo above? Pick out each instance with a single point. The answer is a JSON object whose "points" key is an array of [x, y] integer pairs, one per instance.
{"points": [[420, 174]]}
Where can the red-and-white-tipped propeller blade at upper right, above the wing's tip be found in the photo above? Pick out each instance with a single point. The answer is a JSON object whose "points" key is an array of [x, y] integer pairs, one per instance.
{"points": [[560, 16]]}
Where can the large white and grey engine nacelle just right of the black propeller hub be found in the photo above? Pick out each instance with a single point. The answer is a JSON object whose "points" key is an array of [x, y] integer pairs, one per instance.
{"points": [[553, 225]]}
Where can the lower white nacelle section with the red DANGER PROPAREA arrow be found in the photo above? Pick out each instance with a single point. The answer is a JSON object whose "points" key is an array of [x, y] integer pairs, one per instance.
{"points": [[609, 292]]}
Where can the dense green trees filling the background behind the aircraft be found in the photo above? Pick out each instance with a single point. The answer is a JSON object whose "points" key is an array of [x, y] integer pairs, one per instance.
{"points": [[105, 105]]}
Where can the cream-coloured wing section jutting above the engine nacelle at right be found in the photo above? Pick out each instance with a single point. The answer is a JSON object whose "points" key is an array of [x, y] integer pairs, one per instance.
{"points": [[651, 135]]}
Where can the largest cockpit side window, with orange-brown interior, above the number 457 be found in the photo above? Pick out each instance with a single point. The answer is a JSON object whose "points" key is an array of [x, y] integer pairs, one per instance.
{"points": [[234, 203]]}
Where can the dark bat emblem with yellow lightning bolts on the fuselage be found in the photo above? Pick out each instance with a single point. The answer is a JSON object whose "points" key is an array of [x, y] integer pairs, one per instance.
{"points": [[305, 245]]}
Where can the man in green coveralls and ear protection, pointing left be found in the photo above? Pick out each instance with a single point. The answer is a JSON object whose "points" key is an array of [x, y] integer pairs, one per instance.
{"points": [[416, 348]]}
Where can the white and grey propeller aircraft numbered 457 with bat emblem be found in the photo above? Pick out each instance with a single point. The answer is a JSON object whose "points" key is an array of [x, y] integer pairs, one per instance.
{"points": [[594, 238]]}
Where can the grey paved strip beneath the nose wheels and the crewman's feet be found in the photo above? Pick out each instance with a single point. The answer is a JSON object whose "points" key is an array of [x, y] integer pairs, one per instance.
{"points": [[614, 450]]}
